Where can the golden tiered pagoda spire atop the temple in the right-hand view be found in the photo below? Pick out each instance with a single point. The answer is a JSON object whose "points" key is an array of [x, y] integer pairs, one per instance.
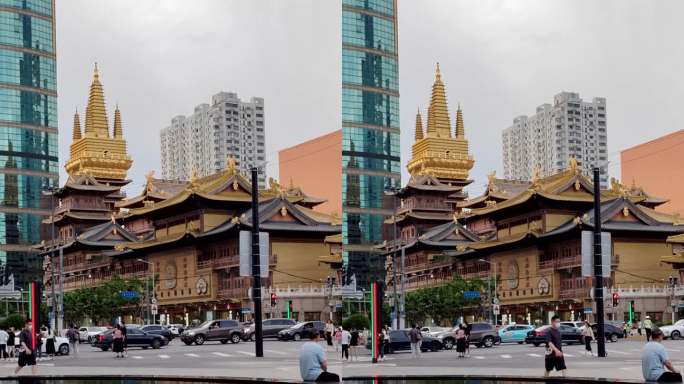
{"points": [[440, 153]]}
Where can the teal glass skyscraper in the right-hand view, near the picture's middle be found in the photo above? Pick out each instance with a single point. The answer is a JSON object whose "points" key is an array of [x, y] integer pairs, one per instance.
{"points": [[370, 131]]}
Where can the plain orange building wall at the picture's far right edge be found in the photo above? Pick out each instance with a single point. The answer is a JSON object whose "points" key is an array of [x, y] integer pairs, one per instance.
{"points": [[658, 167]]}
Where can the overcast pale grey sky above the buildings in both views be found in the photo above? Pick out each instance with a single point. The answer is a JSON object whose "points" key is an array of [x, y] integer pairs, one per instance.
{"points": [[500, 59]]}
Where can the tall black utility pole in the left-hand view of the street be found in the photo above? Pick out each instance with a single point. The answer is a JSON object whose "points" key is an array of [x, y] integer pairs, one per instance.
{"points": [[256, 268]]}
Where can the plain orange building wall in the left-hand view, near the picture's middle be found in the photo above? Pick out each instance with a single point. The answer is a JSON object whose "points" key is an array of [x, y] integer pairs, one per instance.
{"points": [[316, 167]]}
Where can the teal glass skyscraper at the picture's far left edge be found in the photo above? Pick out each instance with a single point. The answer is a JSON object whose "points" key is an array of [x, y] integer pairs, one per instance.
{"points": [[28, 131]]}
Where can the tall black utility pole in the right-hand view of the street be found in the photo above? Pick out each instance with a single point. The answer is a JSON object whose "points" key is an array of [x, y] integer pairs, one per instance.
{"points": [[598, 267]]}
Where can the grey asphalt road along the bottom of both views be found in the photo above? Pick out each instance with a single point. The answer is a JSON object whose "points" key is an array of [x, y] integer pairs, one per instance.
{"points": [[281, 361]]}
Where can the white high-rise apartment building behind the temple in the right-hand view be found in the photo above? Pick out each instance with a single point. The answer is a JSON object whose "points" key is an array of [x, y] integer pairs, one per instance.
{"points": [[547, 139]]}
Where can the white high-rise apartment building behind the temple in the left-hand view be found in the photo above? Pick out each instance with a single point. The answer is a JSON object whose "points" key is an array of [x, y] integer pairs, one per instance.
{"points": [[213, 133]]}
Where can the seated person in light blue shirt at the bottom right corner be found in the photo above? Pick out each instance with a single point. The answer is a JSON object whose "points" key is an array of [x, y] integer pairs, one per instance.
{"points": [[654, 360]]}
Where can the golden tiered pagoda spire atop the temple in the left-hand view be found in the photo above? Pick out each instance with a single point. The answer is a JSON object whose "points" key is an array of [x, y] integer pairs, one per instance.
{"points": [[95, 152]]}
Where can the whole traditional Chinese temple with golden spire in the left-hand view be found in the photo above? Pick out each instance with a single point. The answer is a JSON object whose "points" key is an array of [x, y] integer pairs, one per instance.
{"points": [[184, 235]]}
